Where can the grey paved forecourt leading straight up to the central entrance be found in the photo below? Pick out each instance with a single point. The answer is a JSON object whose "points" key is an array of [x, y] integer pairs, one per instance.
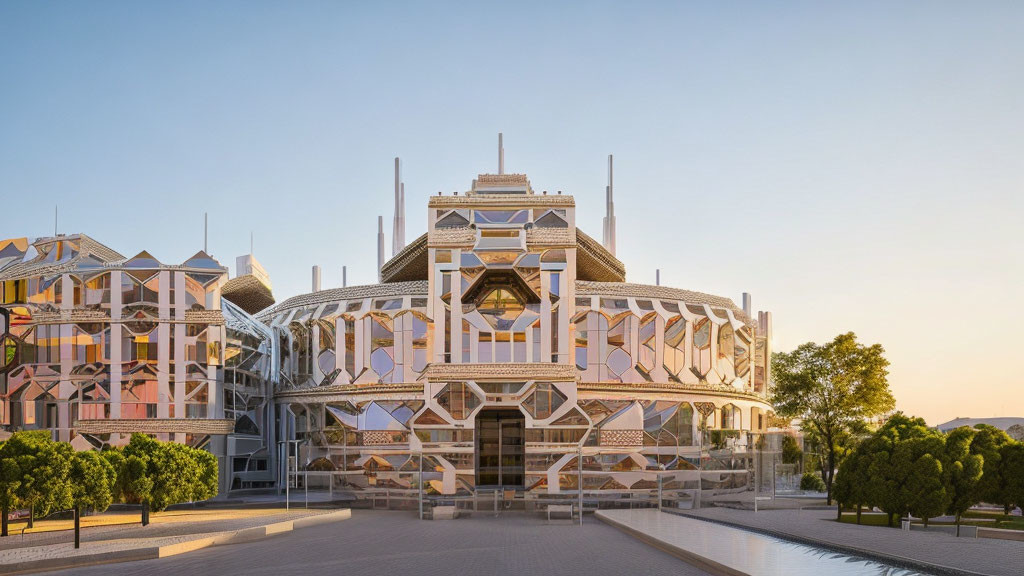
{"points": [[397, 543]]}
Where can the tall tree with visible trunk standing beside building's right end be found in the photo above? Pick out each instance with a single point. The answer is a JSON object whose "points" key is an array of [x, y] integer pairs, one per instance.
{"points": [[832, 389]]}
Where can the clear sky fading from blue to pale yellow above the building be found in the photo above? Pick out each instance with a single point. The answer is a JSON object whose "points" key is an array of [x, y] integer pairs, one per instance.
{"points": [[856, 168]]}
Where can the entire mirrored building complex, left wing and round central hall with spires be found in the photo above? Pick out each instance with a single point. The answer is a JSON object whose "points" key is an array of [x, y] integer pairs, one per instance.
{"points": [[501, 350]]}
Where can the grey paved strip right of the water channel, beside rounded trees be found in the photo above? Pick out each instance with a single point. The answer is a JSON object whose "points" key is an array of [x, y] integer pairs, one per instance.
{"points": [[999, 558]]}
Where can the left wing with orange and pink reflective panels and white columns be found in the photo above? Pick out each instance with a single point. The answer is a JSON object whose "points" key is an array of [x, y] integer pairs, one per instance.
{"points": [[98, 346]]}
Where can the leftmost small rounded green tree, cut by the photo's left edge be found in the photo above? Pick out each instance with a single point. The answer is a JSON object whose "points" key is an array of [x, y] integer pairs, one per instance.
{"points": [[42, 468]]}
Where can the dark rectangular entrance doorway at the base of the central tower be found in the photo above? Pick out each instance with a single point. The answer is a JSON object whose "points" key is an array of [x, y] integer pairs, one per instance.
{"points": [[500, 449]]}
